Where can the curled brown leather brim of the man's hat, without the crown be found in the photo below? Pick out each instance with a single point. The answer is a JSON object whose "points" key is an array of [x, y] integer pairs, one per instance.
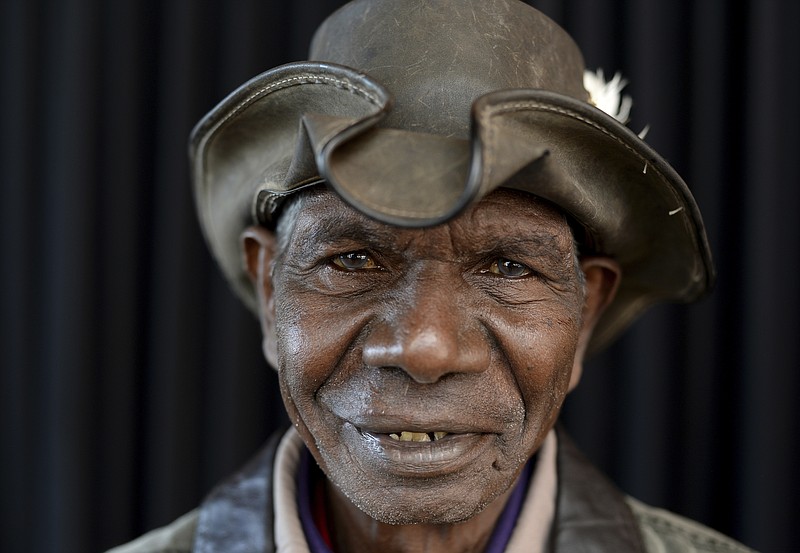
{"points": [[308, 122]]}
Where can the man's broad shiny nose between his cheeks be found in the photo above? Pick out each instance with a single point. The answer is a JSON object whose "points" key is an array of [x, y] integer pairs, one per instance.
{"points": [[429, 336]]}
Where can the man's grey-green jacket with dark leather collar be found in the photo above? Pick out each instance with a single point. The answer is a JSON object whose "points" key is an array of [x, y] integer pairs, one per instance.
{"points": [[592, 515]]}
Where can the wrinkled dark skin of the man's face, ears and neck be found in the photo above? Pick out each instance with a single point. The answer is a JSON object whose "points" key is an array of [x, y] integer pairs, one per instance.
{"points": [[376, 329]]}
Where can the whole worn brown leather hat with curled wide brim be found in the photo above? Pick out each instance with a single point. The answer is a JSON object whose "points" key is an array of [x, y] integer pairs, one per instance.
{"points": [[412, 110]]}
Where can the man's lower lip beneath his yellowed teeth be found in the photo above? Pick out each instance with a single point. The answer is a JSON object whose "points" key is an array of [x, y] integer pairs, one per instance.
{"points": [[450, 454]]}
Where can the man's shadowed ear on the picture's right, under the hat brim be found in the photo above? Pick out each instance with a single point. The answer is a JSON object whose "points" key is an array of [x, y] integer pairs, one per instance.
{"points": [[602, 279]]}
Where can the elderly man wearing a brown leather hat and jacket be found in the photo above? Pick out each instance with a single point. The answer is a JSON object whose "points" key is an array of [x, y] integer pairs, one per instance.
{"points": [[436, 225]]}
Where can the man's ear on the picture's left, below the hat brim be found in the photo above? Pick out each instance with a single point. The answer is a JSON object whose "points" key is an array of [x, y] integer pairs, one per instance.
{"points": [[258, 252]]}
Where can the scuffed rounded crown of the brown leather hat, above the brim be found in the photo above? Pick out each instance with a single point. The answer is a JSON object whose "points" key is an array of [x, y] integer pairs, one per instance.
{"points": [[438, 56]]}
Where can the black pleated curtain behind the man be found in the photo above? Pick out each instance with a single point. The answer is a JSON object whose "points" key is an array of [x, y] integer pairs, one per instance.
{"points": [[132, 380]]}
